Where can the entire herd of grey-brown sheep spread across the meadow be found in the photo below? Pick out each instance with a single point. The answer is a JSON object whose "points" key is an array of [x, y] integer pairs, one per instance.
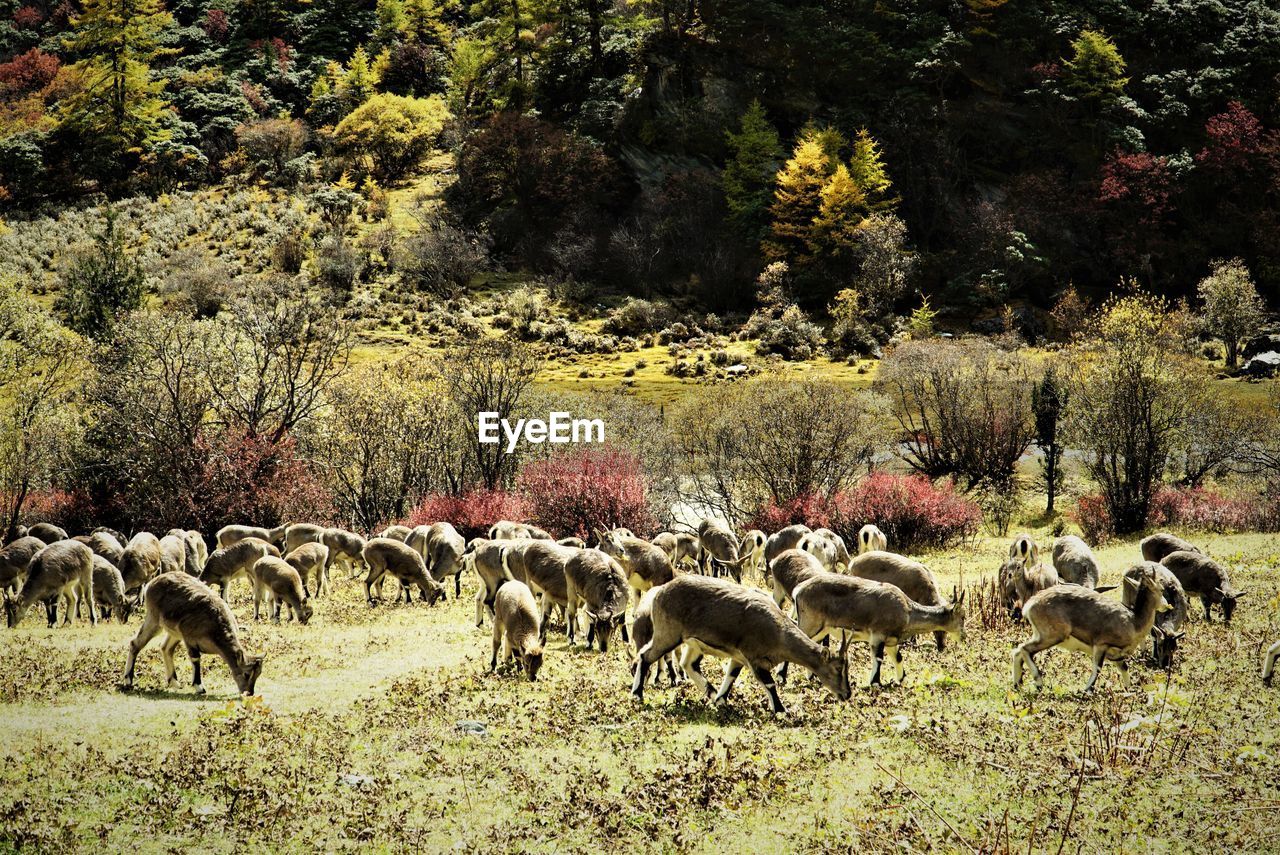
{"points": [[684, 592]]}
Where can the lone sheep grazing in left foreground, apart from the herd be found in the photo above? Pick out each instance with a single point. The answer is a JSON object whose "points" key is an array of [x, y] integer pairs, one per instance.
{"points": [[191, 615]]}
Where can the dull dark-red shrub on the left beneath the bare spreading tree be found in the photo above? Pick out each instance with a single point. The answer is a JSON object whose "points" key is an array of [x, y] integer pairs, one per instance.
{"points": [[249, 479]]}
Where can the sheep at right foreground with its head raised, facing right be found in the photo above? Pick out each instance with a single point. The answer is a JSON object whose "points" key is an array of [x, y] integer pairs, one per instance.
{"points": [[1078, 619]]}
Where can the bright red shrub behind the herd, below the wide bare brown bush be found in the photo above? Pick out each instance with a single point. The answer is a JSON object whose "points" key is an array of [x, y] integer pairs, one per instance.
{"points": [[911, 510]]}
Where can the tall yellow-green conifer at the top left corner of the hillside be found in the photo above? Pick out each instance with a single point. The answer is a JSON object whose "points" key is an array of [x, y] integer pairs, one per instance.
{"points": [[118, 107]]}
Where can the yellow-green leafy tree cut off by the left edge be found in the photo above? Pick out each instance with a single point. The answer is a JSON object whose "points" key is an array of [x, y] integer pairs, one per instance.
{"points": [[43, 368]]}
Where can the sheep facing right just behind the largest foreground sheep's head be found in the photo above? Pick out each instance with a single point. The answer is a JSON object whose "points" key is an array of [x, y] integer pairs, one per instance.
{"points": [[879, 614]]}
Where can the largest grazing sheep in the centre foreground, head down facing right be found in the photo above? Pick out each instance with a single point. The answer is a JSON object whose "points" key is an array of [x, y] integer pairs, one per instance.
{"points": [[738, 624]]}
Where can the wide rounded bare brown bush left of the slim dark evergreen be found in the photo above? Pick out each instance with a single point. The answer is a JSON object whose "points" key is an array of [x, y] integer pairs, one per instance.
{"points": [[963, 408]]}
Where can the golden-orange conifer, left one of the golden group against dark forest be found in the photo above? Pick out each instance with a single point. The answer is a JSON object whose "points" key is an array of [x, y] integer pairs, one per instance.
{"points": [[798, 200]]}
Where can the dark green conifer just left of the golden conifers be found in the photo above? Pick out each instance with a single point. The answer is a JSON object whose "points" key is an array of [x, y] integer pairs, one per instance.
{"points": [[749, 176]]}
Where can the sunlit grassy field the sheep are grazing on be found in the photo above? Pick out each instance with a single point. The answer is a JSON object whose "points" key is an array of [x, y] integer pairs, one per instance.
{"points": [[355, 743]]}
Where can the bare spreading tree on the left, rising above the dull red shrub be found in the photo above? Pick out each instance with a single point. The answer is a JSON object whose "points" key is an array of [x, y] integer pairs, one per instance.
{"points": [[272, 356]]}
